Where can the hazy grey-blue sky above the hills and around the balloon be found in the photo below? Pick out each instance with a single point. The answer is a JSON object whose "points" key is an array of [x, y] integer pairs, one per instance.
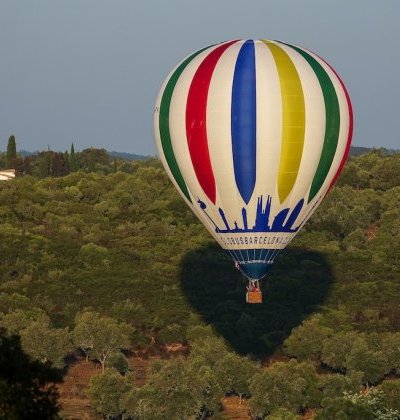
{"points": [[88, 71]]}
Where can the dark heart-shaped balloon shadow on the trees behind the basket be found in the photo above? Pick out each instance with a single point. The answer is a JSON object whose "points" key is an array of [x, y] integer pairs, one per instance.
{"points": [[297, 285]]}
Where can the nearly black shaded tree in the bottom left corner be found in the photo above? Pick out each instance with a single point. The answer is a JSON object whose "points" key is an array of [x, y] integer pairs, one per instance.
{"points": [[27, 388]]}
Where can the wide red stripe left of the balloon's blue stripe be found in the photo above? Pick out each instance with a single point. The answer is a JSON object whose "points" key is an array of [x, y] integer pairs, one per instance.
{"points": [[196, 130]]}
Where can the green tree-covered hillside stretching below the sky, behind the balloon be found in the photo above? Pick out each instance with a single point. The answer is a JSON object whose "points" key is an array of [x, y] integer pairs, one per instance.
{"points": [[101, 260]]}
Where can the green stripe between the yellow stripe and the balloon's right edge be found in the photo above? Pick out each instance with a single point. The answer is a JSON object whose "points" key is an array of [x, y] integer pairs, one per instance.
{"points": [[332, 126]]}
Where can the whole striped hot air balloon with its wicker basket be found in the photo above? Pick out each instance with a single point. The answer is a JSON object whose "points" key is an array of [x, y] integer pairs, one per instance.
{"points": [[253, 134]]}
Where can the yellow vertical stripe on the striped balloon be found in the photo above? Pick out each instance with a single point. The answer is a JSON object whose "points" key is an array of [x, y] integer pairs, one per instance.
{"points": [[293, 120]]}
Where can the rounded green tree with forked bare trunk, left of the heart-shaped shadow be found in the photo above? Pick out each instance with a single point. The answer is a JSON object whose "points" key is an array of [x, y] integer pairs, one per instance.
{"points": [[101, 336]]}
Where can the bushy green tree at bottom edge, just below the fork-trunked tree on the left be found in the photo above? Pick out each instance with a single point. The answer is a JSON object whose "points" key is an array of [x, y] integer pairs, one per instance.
{"points": [[107, 390]]}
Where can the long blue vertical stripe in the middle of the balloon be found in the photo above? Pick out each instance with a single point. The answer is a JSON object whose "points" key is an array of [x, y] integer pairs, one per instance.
{"points": [[243, 121]]}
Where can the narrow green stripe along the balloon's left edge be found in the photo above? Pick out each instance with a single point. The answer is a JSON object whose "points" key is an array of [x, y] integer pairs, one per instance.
{"points": [[164, 124]]}
